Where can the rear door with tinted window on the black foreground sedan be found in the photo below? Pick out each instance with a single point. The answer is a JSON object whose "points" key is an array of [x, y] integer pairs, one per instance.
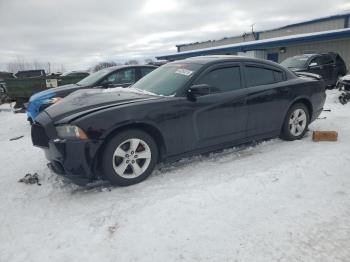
{"points": [[267, 98]]}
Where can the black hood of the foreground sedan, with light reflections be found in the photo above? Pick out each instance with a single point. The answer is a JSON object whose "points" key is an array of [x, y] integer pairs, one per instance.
{"points": [[83, 102]]}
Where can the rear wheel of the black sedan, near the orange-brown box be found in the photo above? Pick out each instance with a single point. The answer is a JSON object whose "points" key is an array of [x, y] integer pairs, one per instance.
{"points": [[296, 122]]}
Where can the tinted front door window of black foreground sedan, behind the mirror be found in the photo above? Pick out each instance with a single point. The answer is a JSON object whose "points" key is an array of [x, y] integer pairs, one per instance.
{"points": [[222, 79]]}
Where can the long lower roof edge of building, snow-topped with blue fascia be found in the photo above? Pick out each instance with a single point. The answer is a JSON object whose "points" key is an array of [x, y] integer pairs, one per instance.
{"points": [[263, 44]]}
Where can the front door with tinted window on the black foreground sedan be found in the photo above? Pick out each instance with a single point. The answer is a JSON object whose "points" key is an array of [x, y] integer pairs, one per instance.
{"points": [[220, 116]]}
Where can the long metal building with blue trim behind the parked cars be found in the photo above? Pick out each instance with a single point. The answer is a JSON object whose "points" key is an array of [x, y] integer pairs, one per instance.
{"points": [[327, 34]]}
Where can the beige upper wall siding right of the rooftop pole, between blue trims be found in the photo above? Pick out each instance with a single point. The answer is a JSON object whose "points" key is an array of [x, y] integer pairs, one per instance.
{"points": [[308, 28]]}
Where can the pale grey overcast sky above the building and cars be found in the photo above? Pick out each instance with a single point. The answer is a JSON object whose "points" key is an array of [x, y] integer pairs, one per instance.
{"points": [[80, 33]]}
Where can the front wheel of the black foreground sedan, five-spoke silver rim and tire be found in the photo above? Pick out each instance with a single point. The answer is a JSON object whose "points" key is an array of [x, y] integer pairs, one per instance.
{"points": [[129, 157]]}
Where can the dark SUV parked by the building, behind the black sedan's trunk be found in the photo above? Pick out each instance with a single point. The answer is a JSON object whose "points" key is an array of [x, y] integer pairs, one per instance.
{"points": [[328, 65]]}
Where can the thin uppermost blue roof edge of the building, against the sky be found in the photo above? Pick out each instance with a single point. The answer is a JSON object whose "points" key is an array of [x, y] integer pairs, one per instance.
{"points": [[346, 14]]}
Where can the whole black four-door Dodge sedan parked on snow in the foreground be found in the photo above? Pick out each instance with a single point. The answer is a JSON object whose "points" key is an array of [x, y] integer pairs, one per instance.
{"points": [[186, 107]]}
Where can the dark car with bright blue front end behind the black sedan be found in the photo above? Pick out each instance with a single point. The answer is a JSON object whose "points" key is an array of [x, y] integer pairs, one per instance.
{"points": [[123, 76]]}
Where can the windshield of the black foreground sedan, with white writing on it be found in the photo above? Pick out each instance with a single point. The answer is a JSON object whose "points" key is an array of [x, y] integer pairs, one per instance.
{"points": [[167, 79]]}
